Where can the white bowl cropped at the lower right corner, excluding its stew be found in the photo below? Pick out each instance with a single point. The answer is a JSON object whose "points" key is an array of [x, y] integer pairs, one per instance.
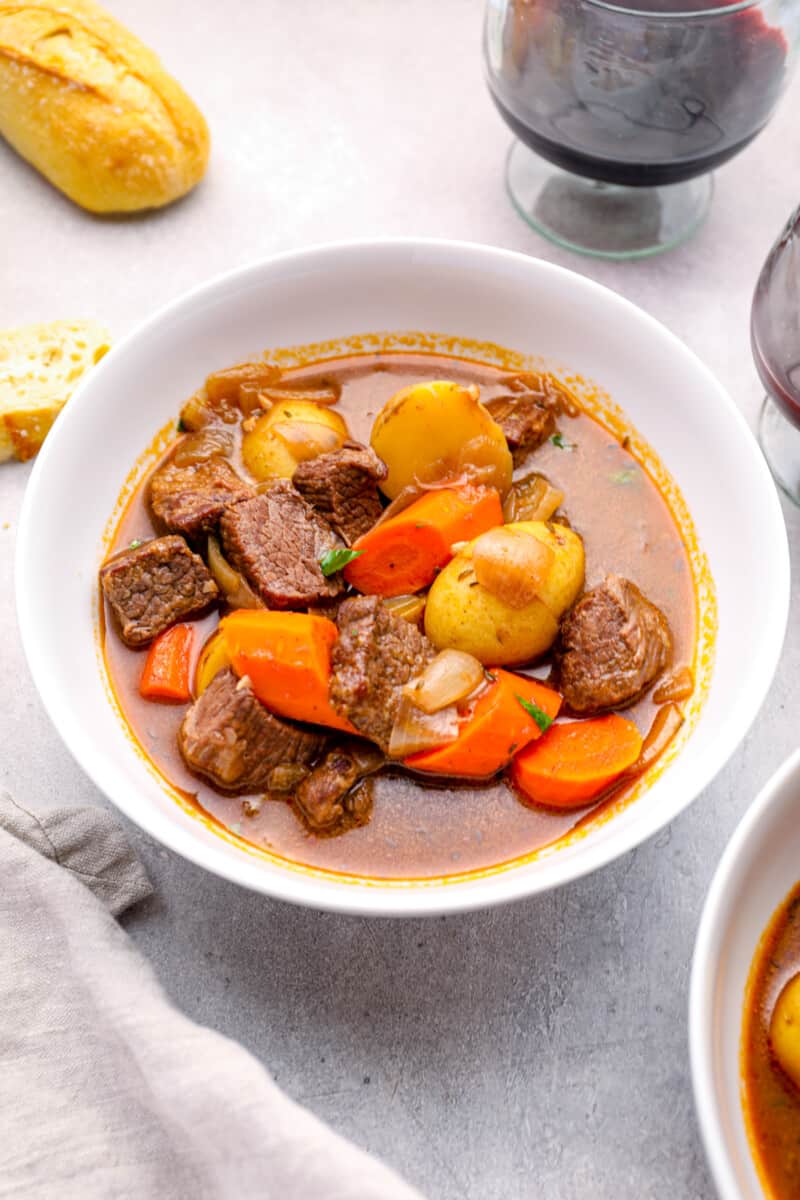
{"points": [[759, 869]]}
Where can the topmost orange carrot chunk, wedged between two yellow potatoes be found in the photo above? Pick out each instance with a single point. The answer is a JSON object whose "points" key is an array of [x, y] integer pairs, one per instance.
{"points": [[404, 554]]}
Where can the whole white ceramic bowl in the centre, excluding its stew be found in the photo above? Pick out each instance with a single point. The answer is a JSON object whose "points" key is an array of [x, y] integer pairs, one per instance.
{"points": [[334, 292]]}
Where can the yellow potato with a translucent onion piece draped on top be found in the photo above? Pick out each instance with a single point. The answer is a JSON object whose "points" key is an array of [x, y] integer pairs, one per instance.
{"points": [[464, 615]]}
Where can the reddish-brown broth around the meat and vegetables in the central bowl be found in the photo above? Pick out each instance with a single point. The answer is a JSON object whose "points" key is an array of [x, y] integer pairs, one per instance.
{"points": [[425, 831]]}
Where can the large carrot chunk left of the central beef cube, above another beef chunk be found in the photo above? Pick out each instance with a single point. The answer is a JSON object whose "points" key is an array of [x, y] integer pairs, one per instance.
{"points": [[287, 658]]}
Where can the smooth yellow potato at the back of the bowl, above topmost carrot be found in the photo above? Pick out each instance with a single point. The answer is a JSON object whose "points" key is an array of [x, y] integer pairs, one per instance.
{"points": [[434, 430]]}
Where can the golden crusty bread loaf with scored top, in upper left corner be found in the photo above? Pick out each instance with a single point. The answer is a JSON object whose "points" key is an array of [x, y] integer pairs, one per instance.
{"points": [[92, 107]]}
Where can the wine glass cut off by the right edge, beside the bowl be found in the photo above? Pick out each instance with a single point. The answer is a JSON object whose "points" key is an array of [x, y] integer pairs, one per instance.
{"points": [[775, 337]]}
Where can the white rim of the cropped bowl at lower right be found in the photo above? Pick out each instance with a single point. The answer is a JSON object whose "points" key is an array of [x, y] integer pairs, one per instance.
{"points": [[706, 965]]}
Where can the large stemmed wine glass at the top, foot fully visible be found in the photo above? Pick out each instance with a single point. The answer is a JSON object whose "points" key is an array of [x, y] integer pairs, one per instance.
{"points": [[622, 111]]}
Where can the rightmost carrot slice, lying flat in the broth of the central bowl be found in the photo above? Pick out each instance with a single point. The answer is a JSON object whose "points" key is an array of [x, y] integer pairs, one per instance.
{"points": [[578, 763]]}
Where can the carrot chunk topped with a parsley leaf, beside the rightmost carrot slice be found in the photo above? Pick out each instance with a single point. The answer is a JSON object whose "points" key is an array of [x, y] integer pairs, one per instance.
{"points": [[497, 728]]}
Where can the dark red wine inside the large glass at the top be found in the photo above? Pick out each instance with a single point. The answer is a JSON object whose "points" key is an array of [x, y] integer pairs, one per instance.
{"points": [[634, 99]]}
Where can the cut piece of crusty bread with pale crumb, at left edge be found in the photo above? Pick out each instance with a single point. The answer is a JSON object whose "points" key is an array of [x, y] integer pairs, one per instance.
{"points": [[40, 369]]}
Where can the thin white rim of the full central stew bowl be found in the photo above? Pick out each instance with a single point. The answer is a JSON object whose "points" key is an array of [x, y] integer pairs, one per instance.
{"points": [[374, 899]]}
